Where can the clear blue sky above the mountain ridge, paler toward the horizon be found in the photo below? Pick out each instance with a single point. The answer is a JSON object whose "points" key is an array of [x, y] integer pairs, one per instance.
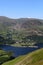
{"points": [[21, 8]]}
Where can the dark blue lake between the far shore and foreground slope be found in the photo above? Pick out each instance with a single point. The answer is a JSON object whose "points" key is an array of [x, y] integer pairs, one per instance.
{"points": [[17, 50]]}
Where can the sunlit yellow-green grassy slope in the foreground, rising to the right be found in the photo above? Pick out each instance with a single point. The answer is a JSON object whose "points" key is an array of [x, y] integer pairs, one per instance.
{"points": [[34, 58]]}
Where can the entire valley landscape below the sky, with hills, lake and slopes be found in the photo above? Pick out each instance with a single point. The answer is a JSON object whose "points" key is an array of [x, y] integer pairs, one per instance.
{"points": [[20, 38]]}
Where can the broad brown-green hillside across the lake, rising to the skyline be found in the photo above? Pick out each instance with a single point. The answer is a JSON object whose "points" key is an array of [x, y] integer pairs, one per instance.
{"points": [[21, 30]]}
